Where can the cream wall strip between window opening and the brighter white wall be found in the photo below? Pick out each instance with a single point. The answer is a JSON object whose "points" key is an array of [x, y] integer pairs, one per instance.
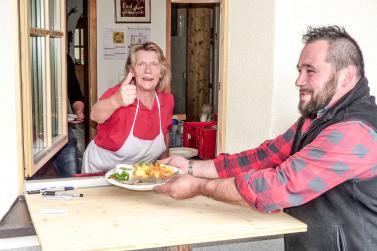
{"points": [[250, 73]]}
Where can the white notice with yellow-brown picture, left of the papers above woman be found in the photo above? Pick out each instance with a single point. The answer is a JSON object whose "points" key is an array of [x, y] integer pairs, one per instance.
{"points": [[114, 44]]}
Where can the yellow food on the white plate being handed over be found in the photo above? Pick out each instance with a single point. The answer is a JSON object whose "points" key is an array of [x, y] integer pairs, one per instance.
{"points": [[149, 170]]}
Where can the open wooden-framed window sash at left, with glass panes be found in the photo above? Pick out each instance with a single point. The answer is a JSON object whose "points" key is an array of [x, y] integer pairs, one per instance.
{"points": [[44, 102]]}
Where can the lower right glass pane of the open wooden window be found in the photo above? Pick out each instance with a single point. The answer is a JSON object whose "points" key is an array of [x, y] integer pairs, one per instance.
{"points": [[56, 87]]}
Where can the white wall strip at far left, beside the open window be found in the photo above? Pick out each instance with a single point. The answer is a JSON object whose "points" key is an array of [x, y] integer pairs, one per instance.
{"points": [[9, 79]]}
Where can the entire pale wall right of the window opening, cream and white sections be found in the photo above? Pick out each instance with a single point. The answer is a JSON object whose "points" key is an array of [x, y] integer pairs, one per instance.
{"points": [[264, 46]]}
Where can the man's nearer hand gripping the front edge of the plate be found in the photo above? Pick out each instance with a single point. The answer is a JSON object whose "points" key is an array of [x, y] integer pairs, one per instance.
{"points": [[183, 187]]}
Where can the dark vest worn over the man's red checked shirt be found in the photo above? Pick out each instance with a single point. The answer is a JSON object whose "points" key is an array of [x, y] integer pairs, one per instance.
{"points": [[345, 217]]}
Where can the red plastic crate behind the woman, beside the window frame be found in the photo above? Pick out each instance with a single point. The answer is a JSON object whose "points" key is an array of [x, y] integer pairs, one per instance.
{"points": [[201, 136]]}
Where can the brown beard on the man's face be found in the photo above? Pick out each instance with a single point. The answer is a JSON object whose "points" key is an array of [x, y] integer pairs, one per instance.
{"points": [[320, 100]]}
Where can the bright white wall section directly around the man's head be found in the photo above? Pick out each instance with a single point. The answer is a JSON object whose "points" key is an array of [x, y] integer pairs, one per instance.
{"points": [[292, 19]]}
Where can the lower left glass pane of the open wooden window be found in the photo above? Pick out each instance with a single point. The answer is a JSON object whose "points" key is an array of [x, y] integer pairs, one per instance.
{"points": [[38, 83]]}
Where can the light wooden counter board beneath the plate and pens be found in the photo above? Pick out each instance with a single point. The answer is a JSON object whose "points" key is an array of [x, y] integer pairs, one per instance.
{"points": [[113, 218]]}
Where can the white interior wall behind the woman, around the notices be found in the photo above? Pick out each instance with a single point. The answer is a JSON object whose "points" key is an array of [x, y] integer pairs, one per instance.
{"points": [[109, 71]]}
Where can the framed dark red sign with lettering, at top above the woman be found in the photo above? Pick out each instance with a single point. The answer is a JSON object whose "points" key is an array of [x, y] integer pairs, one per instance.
{"points": [[132, 11]]}
